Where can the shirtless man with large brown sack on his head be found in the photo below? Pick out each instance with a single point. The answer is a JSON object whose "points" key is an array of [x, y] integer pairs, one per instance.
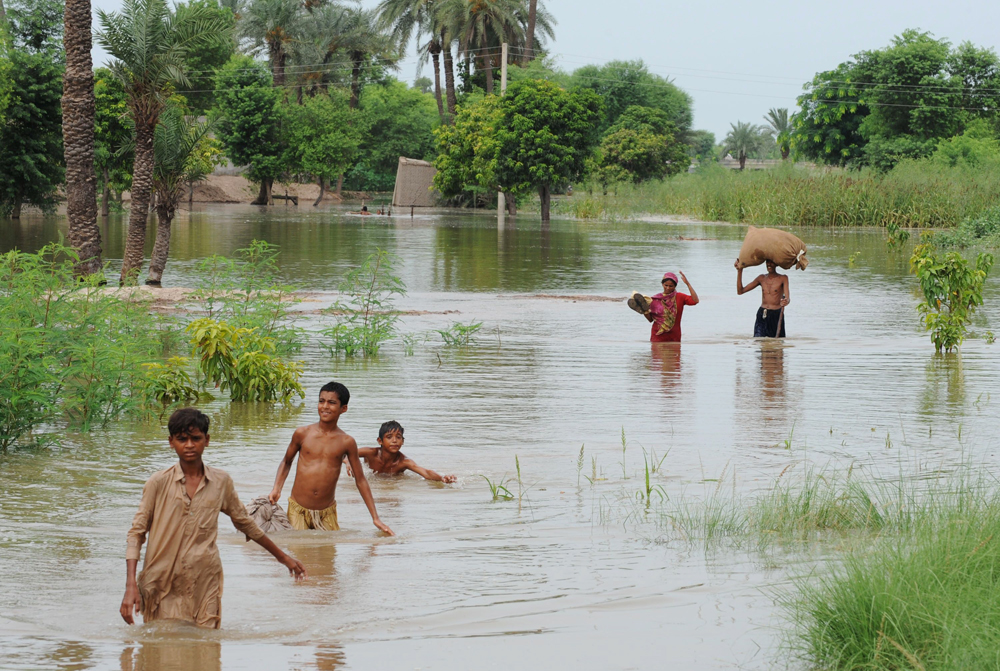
{"points": [[775, 248]]}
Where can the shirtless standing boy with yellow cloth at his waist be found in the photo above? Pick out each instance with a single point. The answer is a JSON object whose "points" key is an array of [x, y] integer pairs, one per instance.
{"points": [[321, 448]]}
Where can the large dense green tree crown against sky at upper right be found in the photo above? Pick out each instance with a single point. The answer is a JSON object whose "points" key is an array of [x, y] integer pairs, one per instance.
{"points": [[889, 104]]}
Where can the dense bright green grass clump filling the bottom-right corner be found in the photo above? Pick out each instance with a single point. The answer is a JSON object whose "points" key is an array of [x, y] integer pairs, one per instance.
{"points": [[924, 598]]}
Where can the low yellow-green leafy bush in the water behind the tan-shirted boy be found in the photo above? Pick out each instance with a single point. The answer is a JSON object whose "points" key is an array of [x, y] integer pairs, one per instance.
{"points": [[242, 361]]}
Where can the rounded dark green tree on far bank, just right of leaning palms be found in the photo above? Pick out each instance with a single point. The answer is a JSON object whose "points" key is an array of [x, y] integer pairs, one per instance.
{"points": [[250, 128]]}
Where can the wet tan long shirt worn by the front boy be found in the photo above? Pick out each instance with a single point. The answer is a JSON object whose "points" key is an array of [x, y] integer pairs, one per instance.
{"points": [[181, 577]]}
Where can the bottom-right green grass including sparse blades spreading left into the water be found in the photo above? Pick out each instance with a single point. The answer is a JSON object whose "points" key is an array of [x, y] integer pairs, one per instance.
{"points": [[916, 583]]}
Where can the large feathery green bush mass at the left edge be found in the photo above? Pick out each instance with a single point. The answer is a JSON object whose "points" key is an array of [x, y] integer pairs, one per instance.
{"points": [[71, 349]]}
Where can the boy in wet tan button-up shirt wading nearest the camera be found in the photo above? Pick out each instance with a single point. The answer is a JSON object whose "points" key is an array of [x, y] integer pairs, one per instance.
{"points": [[181, 578]]}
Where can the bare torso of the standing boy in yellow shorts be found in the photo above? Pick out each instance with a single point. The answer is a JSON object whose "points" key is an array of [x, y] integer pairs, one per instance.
{"points": [[319, 461]]}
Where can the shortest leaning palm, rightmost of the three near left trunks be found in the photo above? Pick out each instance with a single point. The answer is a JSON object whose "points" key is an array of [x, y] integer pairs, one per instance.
{"points": [[175, 143]]}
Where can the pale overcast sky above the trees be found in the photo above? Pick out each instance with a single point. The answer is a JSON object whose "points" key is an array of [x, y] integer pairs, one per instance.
{"points": [[736, 58]]}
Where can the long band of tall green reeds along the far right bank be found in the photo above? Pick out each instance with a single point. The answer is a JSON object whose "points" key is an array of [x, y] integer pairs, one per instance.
{"points": [[913, 195]]}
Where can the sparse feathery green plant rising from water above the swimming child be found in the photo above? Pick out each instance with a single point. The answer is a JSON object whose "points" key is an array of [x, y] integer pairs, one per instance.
{"points": [[368, 317]]}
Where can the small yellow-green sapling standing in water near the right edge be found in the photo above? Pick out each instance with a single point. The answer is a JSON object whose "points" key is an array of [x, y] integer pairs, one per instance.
{"points": [[952, 289]]}
